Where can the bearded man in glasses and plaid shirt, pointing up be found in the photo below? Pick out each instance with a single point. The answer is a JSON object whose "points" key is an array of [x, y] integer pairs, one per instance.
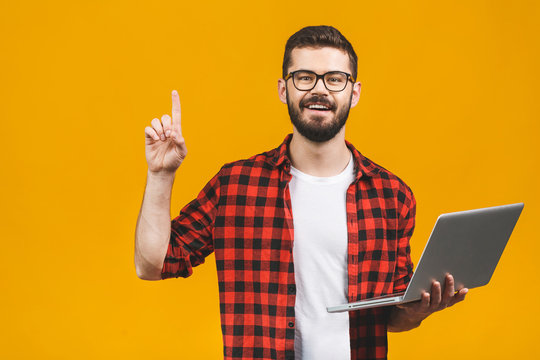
{"points": [[310, 224]]}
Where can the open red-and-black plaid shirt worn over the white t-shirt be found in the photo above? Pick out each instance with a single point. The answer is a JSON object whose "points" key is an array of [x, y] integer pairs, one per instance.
{"points": [[243, 215]]}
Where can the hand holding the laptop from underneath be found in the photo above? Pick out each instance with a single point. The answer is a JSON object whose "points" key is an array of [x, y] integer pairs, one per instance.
{"points": [[436, 301]]}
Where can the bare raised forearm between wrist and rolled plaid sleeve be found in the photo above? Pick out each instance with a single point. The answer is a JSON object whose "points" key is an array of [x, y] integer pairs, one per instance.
{"points": [[153, 228]]}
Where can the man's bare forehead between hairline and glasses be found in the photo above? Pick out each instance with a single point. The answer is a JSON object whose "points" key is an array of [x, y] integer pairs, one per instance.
{"points": [[319, 60]]}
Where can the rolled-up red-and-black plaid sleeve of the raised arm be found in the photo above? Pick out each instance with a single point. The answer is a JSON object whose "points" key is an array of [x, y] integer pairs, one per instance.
{"points": [[191, 233]]}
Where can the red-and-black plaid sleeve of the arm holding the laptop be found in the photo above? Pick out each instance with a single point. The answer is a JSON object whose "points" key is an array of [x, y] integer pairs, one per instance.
{"points": [[406, 223]]}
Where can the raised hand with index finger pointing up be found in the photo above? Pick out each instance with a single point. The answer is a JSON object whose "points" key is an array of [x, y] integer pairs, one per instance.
{"points": [[165, 145]]}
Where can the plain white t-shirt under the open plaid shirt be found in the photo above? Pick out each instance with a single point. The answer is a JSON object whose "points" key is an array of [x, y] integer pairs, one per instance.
{"points": [[320, 263]]}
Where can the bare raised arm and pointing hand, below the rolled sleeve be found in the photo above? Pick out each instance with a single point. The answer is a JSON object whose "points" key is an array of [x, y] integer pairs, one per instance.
{"points": [[165, 151]]}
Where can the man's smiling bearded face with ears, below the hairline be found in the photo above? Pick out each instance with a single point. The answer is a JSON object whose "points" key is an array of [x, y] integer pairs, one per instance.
{"points": [[313, 121]]}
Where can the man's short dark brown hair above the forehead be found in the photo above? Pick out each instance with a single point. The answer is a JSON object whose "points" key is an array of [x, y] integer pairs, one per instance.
{"points": [[317, 37]]}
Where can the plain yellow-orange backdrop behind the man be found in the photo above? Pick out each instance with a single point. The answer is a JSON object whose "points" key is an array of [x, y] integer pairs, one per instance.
{"points": [[449, 103]]}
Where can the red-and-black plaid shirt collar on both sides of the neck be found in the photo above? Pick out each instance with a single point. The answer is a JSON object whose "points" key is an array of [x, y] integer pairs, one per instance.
{"points": [[365, 166]]}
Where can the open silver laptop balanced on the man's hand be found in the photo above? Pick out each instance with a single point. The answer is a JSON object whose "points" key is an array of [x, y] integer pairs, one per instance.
{"points": [[467, 244]]}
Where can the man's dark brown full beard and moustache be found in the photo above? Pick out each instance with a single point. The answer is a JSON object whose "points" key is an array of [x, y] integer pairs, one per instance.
{"points": [[313, 129]]}
